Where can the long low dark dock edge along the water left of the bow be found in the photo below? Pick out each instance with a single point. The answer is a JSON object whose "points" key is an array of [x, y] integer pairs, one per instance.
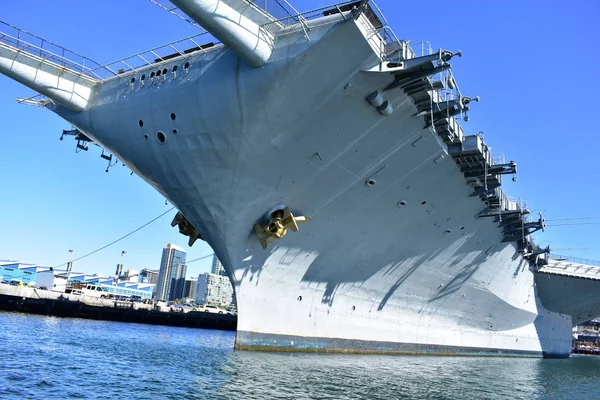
{"points": [[45, 302]]}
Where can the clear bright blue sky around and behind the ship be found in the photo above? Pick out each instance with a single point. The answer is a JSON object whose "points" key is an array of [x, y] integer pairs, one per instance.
{"points": [[535, 65]]}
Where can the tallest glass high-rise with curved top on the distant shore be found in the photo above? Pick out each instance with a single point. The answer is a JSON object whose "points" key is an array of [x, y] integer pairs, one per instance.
{"points": [[172, 271]]}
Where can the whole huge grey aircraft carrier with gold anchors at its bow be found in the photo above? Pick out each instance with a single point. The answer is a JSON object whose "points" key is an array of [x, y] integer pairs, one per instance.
{"points": [[322, 159]]}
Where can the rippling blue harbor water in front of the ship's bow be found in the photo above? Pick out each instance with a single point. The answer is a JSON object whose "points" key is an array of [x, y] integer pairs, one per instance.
{"points": [[48, 357]]}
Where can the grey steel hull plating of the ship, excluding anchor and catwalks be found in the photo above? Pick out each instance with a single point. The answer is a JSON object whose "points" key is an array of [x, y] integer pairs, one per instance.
{"points": [[400, 265]]}
